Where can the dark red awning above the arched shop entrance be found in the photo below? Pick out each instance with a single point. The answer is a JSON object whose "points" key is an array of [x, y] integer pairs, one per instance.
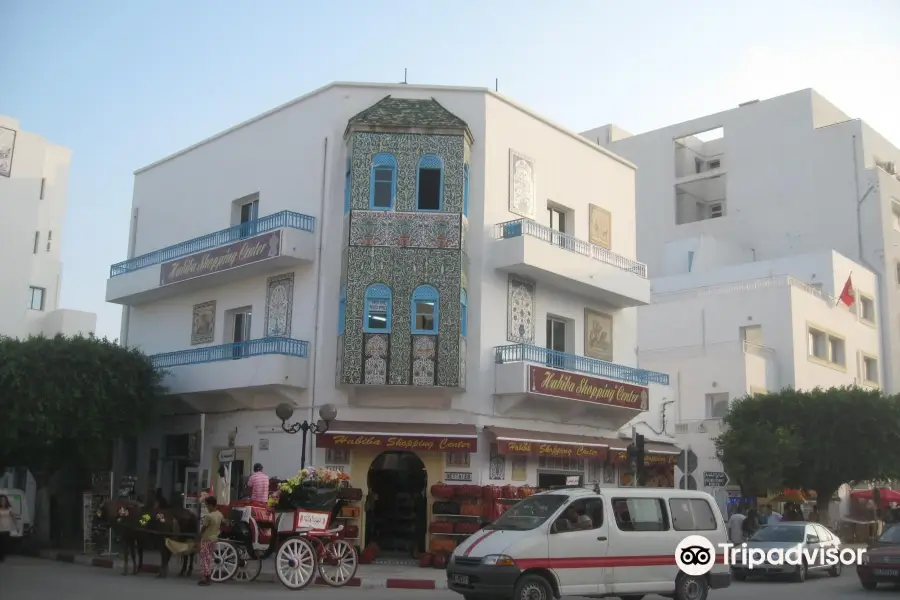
{"points": [[422, 437]]}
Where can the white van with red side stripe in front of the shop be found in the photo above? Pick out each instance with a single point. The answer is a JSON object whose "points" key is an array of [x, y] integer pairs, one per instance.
{"points": [[602, 542]]}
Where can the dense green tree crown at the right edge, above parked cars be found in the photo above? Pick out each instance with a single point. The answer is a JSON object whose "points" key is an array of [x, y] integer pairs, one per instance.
{"points": [[814, 440]]}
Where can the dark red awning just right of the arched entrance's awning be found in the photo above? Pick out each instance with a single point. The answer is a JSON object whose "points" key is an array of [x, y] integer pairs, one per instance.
{"points": [[541, 443]]}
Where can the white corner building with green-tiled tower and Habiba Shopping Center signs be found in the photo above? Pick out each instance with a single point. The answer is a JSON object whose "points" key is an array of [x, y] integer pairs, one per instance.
{"points": [[453, 272]]}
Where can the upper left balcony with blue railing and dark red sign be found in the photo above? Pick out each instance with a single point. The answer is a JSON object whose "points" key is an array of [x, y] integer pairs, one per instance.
{"points": [[278, 241]]}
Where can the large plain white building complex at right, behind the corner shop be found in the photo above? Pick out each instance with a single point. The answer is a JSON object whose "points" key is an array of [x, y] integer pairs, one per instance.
{"points": [[746, 218]]}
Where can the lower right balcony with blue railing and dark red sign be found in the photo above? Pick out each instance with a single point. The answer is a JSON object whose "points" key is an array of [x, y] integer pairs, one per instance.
{"points": [[538, 383]]}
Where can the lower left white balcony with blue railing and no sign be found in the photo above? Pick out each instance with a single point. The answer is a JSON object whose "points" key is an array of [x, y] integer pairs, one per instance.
{"points": [[255, 374]]}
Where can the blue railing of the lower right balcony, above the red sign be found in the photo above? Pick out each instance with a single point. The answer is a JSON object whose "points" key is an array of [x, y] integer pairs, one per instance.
{"points": [[579, 364]]}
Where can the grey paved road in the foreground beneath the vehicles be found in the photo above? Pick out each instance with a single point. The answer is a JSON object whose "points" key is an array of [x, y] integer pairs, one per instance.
{"points": [[22, 578]]}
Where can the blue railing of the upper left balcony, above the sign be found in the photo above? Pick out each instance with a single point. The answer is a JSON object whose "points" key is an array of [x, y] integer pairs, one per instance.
{"points": [[283, 219]]}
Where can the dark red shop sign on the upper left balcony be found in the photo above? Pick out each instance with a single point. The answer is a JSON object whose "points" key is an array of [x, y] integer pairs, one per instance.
{"points": [[238, 254]]}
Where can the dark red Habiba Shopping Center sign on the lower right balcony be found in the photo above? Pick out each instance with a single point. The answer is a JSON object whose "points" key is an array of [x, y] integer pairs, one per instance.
{"points": [[552, 382]]}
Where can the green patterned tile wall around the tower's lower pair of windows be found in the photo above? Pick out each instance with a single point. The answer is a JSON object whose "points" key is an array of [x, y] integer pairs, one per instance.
{"points": [[403, 270]]}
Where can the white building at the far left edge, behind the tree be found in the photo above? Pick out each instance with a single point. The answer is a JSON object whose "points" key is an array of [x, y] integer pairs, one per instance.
{"points": [[33, 187]]}
